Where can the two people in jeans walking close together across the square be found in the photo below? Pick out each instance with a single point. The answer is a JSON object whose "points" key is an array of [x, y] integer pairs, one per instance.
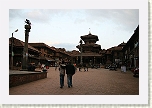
{"points": [[69, 69]]}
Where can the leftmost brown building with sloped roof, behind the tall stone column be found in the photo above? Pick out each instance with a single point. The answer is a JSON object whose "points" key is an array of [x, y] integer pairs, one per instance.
{"points": [[18, 47]]}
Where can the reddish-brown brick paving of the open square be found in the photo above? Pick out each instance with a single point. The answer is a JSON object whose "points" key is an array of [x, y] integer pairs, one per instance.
{"points": [[94, 82]]}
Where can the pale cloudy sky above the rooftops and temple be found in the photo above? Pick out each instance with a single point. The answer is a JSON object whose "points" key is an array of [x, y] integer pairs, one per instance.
{"points": [[63, 27]]}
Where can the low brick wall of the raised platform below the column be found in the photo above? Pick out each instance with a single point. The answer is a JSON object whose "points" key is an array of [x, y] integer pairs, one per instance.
{"points": [[18, 79]]}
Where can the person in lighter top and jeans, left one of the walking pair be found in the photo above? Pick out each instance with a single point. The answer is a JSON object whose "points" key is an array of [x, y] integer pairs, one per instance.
{"points": [[62, 68]]}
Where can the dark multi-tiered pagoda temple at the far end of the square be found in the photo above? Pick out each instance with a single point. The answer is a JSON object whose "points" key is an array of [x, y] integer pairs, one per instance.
{"points": [[89, 50]]}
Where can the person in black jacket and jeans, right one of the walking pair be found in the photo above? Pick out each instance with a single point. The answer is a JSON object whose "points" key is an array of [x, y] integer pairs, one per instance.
{"points": [[70, 71]]}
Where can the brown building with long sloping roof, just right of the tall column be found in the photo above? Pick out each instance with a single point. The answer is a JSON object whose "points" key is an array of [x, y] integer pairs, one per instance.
{"points": [[49, 54]]}
